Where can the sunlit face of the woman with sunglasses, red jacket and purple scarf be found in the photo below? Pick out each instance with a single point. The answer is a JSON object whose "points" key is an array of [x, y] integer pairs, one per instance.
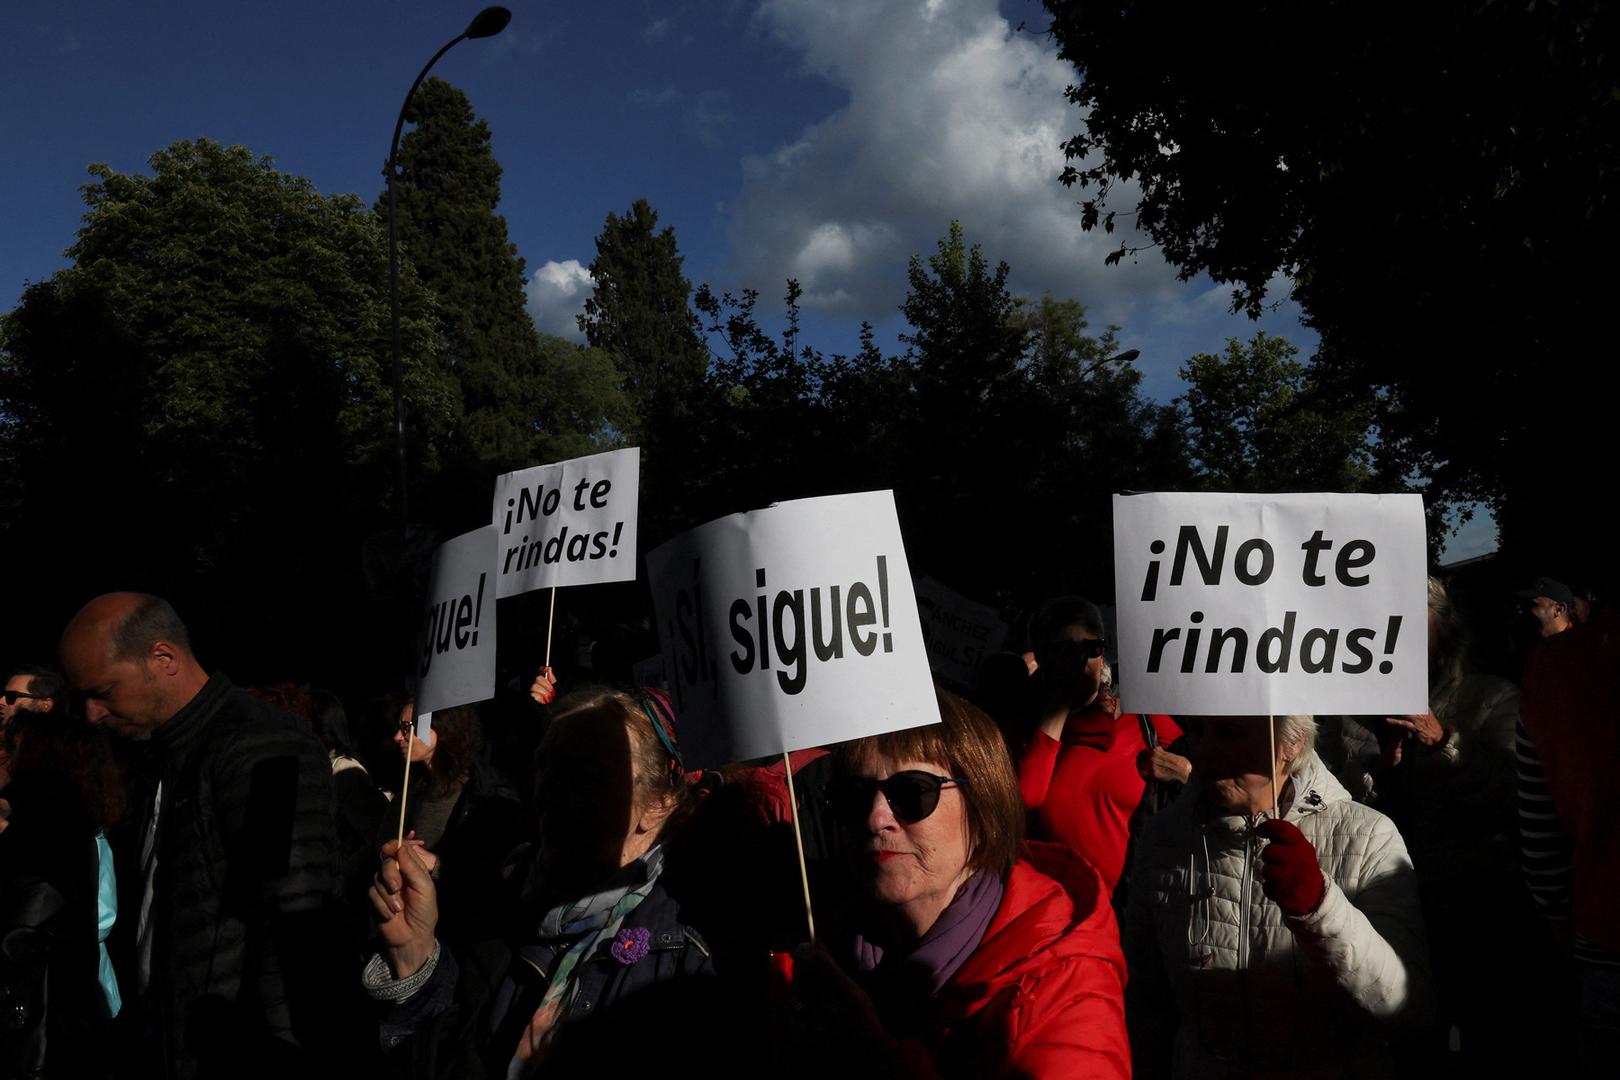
{"points": [[916, 865]]}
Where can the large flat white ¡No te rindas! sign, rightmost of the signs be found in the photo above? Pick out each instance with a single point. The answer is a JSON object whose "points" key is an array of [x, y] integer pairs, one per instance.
{"points": [[1273, 605]]}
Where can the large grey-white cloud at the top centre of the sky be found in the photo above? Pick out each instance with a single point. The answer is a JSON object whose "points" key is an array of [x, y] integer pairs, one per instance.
{"points": [[952, 116]]}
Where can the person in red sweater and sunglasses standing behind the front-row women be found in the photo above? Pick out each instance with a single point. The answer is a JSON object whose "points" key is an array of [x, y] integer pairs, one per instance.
{"points": [[1086, 772]]}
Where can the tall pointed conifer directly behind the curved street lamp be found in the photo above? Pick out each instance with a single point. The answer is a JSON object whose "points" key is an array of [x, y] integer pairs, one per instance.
{"points": [[514, 386]]}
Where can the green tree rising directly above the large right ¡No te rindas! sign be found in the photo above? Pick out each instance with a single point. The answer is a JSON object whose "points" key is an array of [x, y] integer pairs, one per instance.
{"points": [[1258, 420]]}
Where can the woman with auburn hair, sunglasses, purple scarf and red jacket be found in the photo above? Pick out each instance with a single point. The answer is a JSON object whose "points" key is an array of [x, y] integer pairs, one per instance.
{"points": [[970, 953]]}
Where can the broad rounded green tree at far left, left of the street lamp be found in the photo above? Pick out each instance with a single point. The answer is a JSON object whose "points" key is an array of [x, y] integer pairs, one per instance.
{"points": [[200, 404]]}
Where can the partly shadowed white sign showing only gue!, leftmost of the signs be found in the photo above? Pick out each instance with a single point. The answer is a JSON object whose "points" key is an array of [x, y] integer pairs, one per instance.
{"points": [[456, 648]]}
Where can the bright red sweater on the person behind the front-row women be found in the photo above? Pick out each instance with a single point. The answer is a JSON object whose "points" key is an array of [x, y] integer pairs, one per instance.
{"points": [[1081, 793]]}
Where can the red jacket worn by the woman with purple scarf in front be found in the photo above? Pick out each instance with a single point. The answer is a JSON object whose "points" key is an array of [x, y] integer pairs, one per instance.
{"points": [[1044, 993]]}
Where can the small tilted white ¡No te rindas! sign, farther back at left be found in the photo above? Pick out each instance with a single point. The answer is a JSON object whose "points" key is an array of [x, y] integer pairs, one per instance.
{"points": [[568, 524]]}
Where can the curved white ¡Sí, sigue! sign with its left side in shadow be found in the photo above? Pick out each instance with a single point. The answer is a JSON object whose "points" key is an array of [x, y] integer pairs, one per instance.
{"points": [[791, 627]]}
